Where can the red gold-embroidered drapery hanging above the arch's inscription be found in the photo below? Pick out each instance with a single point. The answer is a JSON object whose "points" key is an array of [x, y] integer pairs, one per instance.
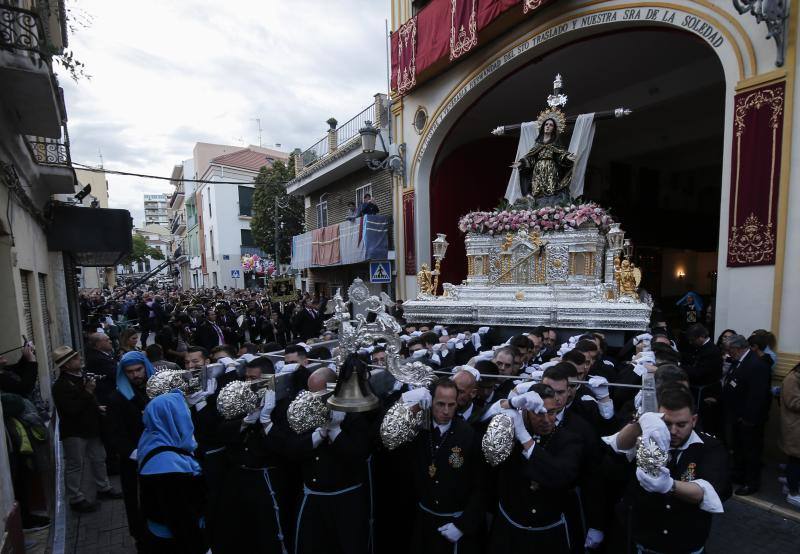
{"points": [[436, 30]]}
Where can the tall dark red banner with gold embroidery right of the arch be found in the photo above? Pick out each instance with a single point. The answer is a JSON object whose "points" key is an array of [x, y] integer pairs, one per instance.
{"points": [[755, 175]]}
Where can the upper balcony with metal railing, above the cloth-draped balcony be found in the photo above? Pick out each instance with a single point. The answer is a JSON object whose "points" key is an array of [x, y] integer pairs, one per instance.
{"points": [[338, 153]]}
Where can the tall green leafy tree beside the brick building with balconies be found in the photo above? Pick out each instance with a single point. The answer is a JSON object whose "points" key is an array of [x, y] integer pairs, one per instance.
{"points": [[271, 185]]}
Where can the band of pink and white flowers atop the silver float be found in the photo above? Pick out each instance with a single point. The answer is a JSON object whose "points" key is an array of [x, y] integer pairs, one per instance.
{"points": [[547, 218]]}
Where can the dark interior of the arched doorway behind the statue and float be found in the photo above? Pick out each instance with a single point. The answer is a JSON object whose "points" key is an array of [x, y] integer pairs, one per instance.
{"points": [[659, 170]]}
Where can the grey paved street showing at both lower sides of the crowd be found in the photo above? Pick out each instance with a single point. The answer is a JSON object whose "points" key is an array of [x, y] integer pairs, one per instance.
{"points": [[744, 528]]}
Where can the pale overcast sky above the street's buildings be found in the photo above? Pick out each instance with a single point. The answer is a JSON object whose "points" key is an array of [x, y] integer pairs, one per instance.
{"points": [[167, 74]]}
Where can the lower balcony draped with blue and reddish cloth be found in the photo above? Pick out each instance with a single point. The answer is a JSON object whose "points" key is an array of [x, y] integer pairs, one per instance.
{"points": [[365, 238]]}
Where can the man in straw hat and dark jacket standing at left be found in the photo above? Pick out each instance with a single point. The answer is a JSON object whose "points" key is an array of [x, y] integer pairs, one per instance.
{"points": [[79, 415]]}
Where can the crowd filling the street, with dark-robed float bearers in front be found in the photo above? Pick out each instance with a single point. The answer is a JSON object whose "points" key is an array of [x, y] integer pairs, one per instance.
{"points": [[193, 480]]}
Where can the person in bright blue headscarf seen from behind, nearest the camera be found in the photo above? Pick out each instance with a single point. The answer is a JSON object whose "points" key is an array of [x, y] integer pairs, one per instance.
{"points": [[172, 489]]}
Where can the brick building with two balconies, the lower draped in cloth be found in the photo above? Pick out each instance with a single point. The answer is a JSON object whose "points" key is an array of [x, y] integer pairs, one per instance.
{"points": [[329, 175]]}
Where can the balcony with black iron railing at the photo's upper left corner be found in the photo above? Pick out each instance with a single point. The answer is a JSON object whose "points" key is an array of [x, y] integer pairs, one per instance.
{"points": [[29, 88]]}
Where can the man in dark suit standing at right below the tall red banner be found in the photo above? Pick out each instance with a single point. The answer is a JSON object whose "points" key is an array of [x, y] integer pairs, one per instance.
{"points": [[745, 398]]}
